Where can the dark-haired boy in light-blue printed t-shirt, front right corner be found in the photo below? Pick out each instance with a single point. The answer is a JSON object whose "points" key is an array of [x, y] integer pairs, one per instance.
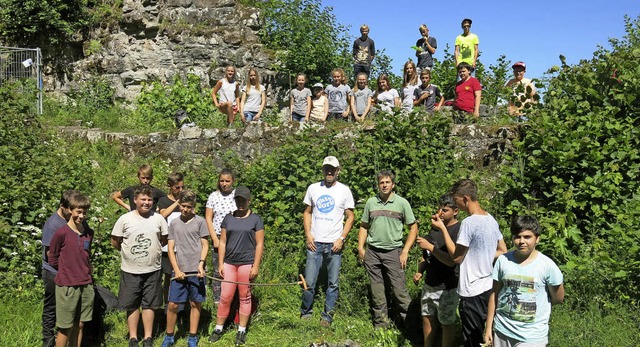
{"points": [[525, 285]]}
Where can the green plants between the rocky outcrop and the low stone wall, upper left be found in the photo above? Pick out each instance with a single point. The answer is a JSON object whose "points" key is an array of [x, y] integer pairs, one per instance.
{"points": [[93, 105]]}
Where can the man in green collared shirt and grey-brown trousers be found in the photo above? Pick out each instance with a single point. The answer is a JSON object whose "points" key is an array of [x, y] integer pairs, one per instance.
{"points": [[382, 230]]}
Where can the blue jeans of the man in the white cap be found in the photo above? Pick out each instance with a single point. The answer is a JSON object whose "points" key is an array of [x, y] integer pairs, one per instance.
{"points": [[315, 260]]}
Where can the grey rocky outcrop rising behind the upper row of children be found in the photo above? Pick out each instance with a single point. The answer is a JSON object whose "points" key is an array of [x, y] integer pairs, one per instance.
{"points": [[157, 39]]}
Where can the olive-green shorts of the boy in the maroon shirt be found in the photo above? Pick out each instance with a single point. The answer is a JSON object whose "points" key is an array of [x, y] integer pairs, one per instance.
{"points": [[74, 304]]}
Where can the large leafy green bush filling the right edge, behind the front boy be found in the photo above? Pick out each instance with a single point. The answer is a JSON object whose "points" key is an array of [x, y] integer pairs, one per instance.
{"points": [[578, 167]]}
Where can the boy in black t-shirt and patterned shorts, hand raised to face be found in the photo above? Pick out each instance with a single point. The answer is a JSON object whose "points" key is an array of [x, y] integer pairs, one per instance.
{"points": [[439, 297]]}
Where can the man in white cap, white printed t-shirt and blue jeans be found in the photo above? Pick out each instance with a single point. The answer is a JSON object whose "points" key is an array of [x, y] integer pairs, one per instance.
{"points": [[328, 201]]}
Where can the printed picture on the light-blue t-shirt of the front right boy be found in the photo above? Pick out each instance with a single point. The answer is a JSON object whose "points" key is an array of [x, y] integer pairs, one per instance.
{"points": [[518, 301]]}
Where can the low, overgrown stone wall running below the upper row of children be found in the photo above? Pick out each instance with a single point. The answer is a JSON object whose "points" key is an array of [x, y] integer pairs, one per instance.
{"points": [[481, 145]]}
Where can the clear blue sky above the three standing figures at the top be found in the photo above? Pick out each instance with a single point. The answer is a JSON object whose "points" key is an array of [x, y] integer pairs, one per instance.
{"points": [[535, 32]]}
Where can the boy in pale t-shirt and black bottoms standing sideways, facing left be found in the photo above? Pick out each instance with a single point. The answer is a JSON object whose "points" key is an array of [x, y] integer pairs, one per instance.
{"points": [[479, 243]]}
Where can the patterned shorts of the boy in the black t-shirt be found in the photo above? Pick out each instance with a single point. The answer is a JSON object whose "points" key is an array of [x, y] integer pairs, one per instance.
{"points": [[442, 303]]}
